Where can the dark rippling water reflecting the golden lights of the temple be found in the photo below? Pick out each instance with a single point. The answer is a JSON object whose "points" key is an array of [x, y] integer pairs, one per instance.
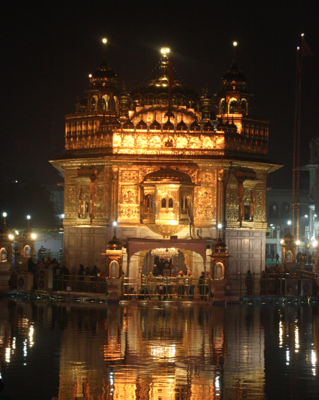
{"points": [[87, 351]]}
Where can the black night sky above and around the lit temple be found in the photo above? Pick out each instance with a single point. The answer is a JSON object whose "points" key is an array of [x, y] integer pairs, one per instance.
{"points": [[50, 47]]}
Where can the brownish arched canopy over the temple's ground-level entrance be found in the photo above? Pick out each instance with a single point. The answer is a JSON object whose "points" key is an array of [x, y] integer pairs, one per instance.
{"points": [[134, 245]]}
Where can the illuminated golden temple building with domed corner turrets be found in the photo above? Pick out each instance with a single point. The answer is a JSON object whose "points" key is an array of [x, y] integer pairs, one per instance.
{"points": [[160, 163]]}
